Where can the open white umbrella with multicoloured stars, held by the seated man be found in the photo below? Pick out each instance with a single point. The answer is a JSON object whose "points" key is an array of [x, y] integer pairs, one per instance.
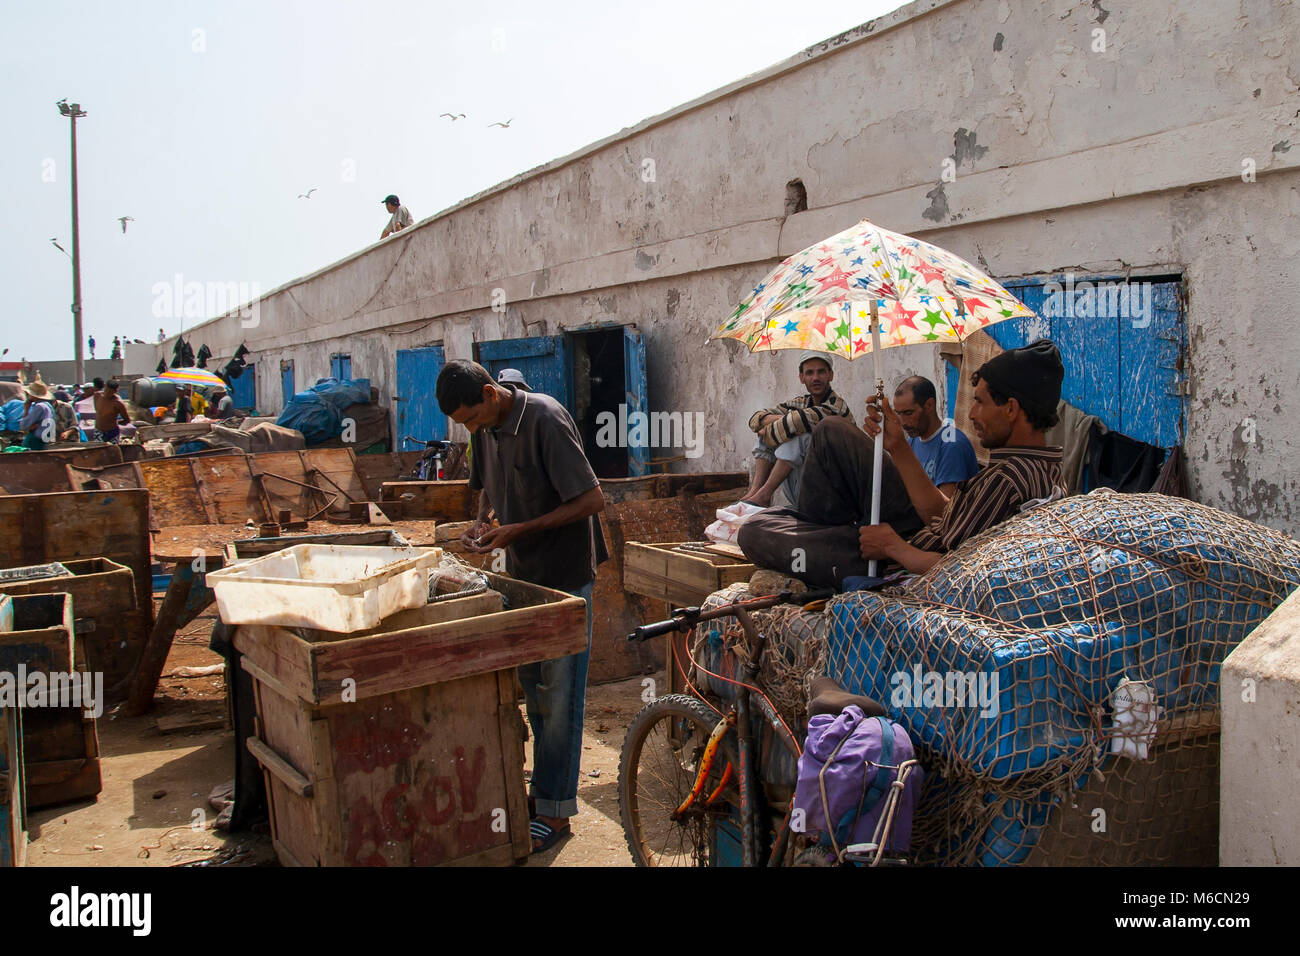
{"points": [[864, 291]]}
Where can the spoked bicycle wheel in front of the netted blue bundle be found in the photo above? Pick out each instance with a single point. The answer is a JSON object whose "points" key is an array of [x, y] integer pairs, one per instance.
{"points": [[655, 782]]}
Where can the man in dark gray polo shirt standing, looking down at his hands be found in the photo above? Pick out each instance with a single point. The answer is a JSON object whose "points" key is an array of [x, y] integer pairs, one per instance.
{"points": [[528, 461]]}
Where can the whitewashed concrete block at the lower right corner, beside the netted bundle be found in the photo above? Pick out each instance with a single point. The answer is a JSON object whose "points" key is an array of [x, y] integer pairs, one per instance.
{"points": [[1260, 769]]}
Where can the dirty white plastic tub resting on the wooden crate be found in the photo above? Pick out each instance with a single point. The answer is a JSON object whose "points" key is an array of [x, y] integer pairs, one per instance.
{"points": [[340, 589]]}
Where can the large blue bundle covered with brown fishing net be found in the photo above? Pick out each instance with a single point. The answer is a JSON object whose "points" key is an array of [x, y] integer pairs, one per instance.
{"points": [[1006, 661]]}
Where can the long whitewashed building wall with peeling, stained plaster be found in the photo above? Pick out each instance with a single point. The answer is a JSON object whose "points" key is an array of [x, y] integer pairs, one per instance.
{"points": [[1061, 157]]}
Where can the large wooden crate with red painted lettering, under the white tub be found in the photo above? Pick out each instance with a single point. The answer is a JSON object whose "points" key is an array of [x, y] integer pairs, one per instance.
{"points": [[404, 746]]}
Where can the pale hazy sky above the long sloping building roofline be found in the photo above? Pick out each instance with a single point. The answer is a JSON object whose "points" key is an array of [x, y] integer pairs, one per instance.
{"points": [[206, 120]]}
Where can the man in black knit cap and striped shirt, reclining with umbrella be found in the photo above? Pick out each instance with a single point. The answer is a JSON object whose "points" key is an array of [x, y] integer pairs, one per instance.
{"points": [[1016, 401]]}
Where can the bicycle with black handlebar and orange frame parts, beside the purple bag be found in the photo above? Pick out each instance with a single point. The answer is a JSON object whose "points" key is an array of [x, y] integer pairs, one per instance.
{"points": [[713, 811]]}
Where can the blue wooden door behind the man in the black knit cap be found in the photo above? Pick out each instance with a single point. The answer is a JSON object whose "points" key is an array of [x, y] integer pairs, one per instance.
{"points": [[1121, 345]]}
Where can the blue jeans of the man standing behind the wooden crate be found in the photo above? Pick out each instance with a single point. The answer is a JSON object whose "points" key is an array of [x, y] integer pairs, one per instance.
{"points": [[556, 700]]}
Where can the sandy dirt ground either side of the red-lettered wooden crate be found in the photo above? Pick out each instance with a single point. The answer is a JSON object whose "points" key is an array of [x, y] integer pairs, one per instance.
{"points": [[154, 810]]}
